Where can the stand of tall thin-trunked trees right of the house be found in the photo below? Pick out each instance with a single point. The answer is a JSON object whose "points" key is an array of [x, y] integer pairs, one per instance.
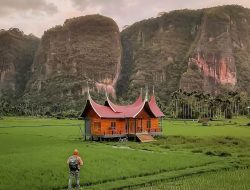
{"points": [[193, 105]]}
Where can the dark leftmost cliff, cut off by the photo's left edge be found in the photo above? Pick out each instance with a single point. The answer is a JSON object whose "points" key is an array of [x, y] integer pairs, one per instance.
{"points": [[16, 57]]}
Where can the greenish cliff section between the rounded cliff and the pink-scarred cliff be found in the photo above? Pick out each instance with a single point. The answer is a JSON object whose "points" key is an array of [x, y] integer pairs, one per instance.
{"points": [[155, 52]]}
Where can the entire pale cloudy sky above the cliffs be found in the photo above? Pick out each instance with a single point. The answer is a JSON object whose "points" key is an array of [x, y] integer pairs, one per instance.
{"points": [[36, 16]]}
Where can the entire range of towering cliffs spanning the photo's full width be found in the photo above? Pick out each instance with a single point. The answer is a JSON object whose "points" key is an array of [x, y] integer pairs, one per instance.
{"points": [[202, 50]]}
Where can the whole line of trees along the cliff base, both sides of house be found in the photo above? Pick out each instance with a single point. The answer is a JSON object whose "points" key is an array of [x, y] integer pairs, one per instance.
{"points": [[182, 104]]}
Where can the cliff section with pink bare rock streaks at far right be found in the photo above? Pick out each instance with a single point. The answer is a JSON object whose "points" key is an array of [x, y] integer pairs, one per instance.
{"points": [[222, 33]]}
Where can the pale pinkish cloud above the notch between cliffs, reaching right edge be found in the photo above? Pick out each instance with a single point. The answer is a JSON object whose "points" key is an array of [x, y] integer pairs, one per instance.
{"points": [[126, 12]]}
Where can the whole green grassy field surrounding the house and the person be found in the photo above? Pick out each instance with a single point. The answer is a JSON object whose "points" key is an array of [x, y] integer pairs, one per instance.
{"points": [[189, 156]]}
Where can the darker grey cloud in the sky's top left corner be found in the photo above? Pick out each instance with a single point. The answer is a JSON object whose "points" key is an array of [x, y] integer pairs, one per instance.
{"points": [[9, 7]]}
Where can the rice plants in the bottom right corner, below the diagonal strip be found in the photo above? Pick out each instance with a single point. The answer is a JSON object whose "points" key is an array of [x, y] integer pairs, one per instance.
{"points": [[230, 179]]}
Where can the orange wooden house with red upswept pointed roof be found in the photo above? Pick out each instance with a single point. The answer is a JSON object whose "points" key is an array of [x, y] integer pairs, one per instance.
{"points": [[114, 121]]}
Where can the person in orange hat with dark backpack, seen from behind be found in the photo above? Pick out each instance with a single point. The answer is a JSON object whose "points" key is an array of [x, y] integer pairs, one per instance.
{"points": [[74, 163]]}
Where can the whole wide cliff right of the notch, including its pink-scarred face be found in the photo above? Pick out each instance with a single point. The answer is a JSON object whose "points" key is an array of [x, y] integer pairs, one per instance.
{"points": [[205, 50]]}
